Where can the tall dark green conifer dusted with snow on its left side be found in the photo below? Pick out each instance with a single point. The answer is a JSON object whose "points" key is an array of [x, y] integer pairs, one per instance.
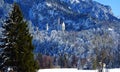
{"points": [[17, 43]]}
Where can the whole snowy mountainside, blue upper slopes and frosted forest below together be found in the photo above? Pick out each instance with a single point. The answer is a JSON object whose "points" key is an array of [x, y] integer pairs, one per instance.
{"points": [[91, 32]]}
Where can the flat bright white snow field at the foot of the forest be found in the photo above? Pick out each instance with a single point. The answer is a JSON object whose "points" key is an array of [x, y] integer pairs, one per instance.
{"points": [[76, 70]]}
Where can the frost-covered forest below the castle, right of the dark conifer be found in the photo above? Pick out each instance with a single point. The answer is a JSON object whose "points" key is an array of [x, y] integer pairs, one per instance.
{"points": [[84, 46]]}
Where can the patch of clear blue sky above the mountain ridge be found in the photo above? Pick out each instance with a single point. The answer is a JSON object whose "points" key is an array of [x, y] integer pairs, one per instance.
{"points": [[115, 5]]}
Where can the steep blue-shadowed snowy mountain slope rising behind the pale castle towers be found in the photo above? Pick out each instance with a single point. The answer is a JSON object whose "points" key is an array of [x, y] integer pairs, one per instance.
{"points": [[77, 14]]}
